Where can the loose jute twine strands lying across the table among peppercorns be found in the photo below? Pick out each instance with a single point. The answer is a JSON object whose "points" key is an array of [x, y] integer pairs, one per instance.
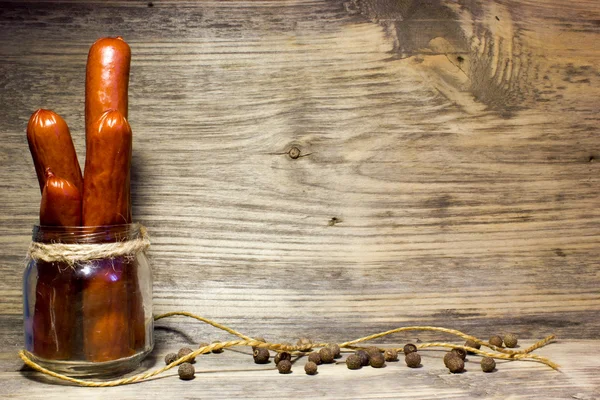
{"points": [[498, 352]]}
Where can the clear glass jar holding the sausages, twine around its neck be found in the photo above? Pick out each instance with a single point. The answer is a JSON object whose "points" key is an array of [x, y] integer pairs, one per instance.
{"points": [[91, 317]]}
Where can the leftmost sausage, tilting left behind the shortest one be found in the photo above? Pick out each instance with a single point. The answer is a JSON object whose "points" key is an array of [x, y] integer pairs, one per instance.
{"points": [[51, 147]]}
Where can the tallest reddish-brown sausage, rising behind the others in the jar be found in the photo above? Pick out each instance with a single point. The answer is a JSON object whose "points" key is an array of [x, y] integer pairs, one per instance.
{"points": [[106, 79]]}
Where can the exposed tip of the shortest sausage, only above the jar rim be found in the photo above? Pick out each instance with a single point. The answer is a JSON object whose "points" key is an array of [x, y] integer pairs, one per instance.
{"points": [[61, 202]]}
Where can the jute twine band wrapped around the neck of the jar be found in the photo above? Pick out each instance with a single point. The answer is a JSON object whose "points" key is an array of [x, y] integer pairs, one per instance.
{"points": [[73, 253]]}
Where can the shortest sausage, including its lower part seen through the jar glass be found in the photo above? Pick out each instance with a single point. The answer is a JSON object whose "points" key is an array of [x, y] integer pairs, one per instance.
{"points": [[56, 287]]}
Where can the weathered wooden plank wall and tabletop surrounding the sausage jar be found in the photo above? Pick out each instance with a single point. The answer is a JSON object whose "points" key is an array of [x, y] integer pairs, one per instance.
{"points": [[335, 168]]}
